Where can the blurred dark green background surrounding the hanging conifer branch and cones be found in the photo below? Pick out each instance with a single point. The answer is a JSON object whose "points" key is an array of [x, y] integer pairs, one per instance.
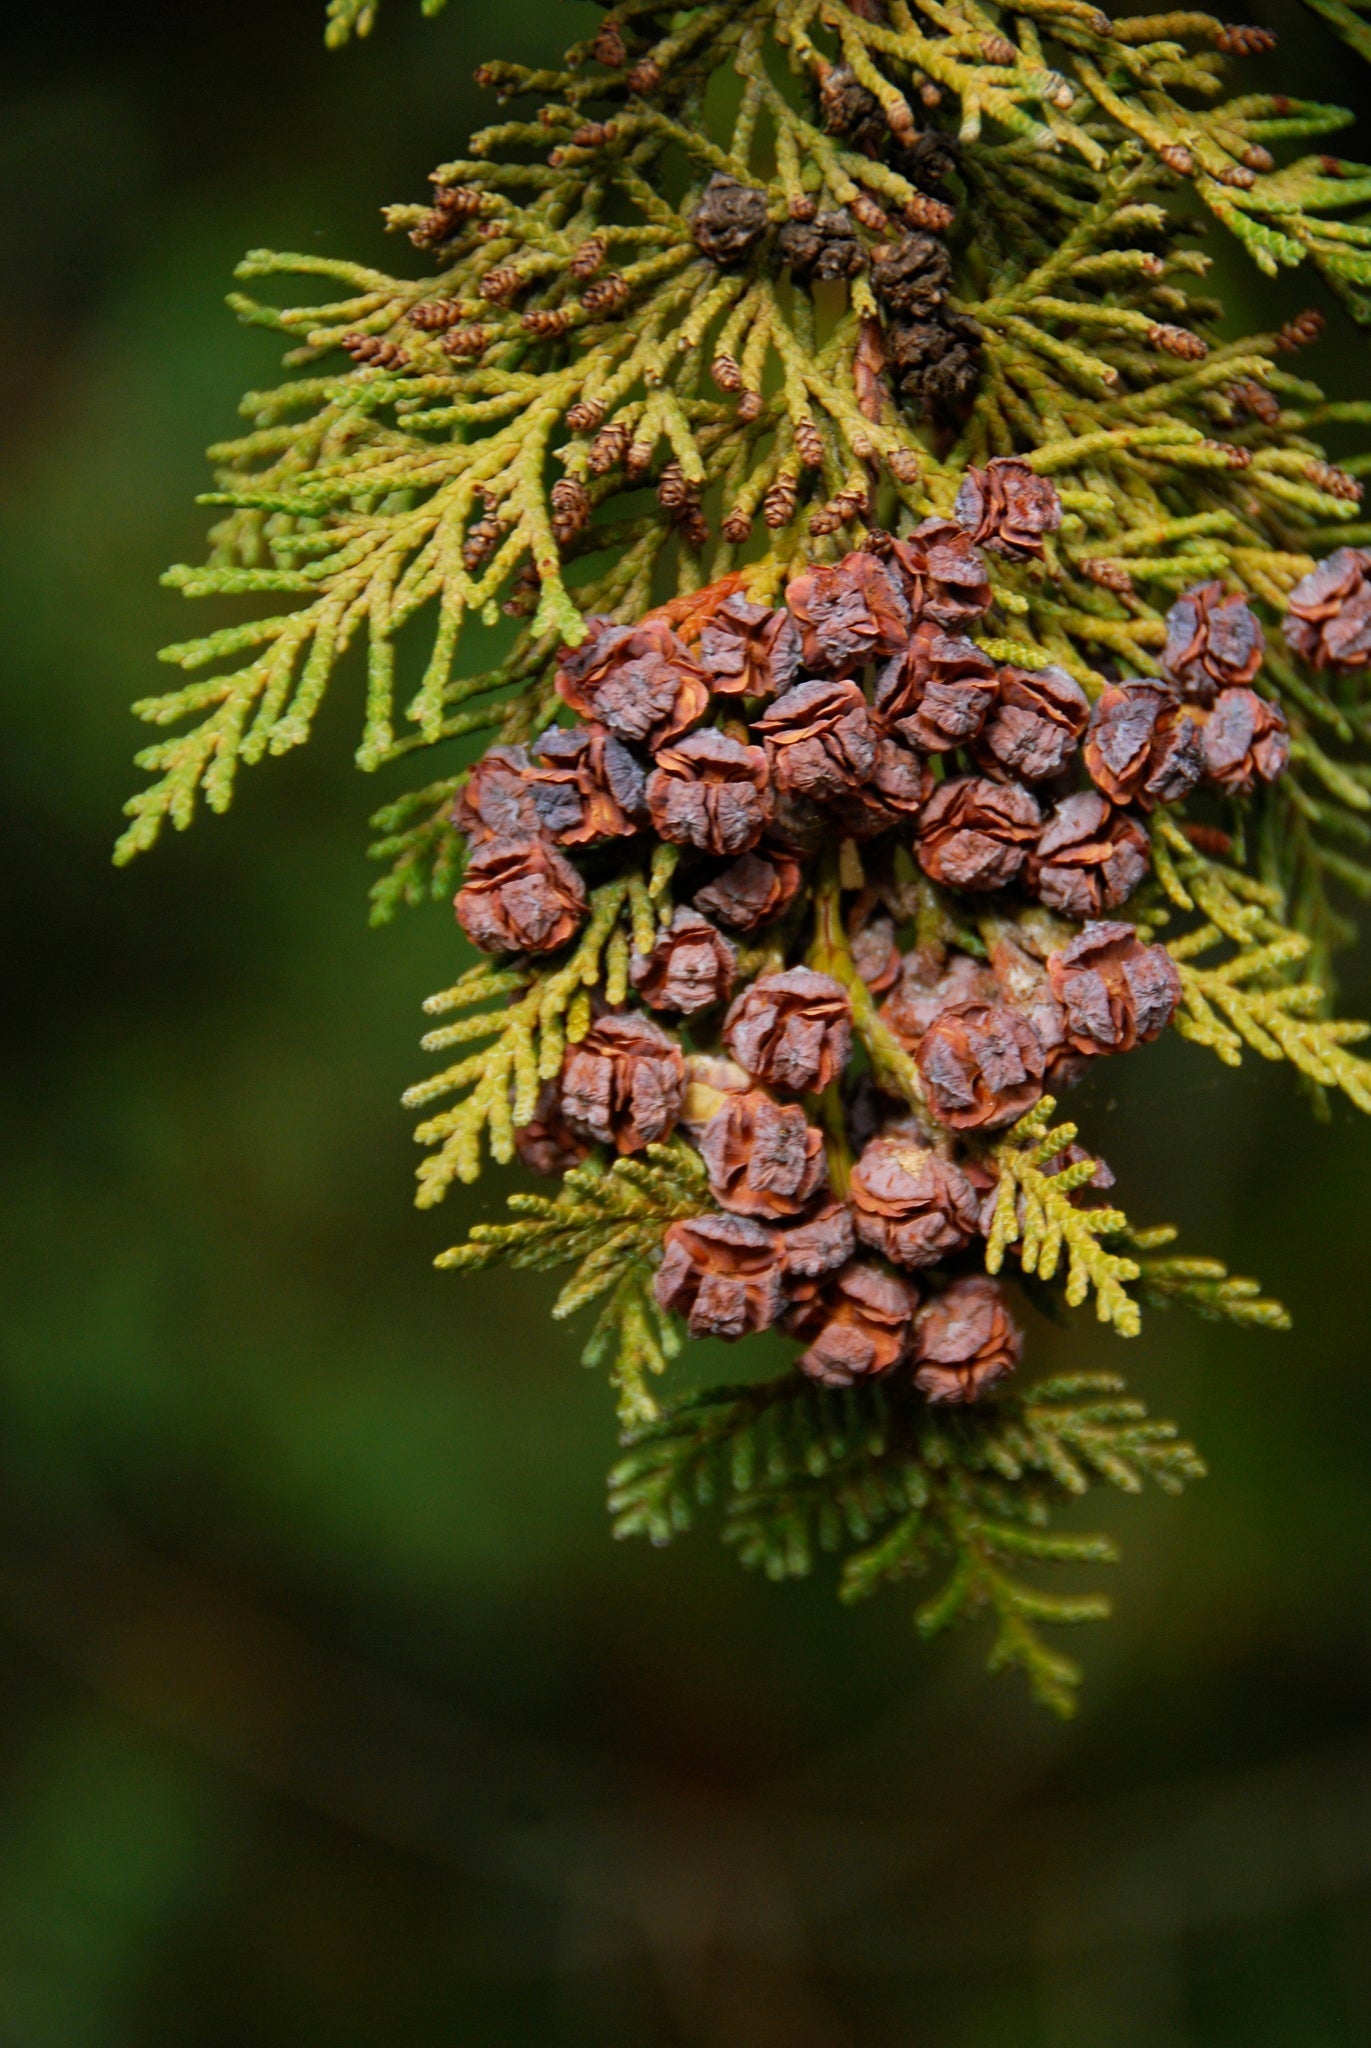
{"points": [[329, 1711]]}
